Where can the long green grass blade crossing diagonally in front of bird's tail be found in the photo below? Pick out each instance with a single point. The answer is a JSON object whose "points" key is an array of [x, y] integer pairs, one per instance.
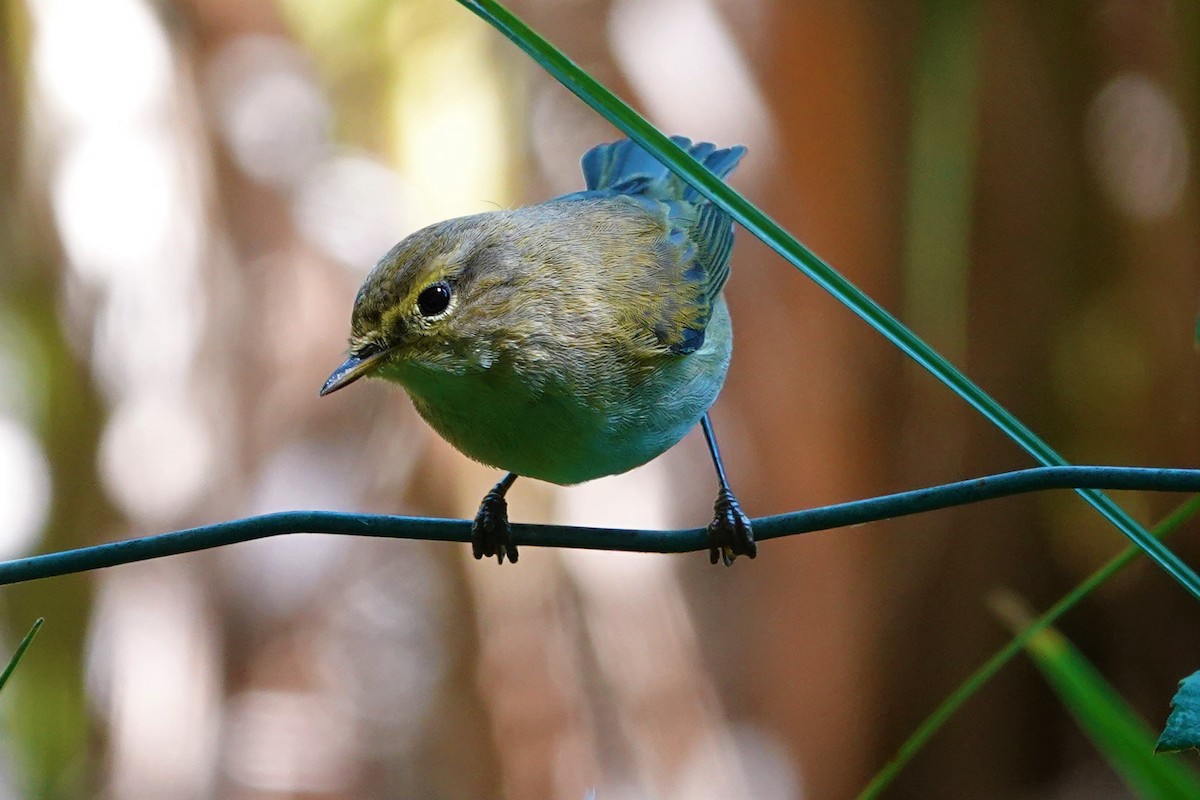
{"points": [[773, 236]]}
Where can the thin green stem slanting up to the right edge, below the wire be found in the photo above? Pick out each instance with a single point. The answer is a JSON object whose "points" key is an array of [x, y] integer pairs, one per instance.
{"points": [[988, 670]]}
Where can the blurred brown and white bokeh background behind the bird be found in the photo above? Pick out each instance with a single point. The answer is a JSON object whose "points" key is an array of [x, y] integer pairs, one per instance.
{"points": [[191, 193]]}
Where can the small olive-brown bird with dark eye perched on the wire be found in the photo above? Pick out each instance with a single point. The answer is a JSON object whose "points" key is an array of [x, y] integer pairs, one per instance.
{"points": [[565, 341]]}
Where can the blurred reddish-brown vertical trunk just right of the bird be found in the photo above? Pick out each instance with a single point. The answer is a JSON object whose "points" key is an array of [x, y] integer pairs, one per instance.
{"points": [[812, 389]]}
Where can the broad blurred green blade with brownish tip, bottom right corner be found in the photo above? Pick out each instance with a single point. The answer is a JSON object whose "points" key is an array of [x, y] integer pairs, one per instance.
{"points": [[1119, 733]]}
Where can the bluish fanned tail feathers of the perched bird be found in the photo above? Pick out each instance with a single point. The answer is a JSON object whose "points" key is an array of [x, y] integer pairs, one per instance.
{"points": [[627, 169]]}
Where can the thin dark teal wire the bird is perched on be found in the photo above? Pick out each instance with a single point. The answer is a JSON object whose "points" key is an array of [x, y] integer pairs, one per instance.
{"points": [[604, 539]]}
